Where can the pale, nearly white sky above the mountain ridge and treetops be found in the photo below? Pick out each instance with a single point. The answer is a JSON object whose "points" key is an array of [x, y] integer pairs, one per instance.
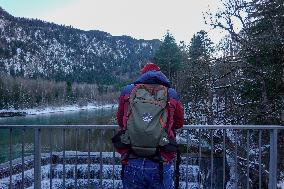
{"points": [[141, 19]]}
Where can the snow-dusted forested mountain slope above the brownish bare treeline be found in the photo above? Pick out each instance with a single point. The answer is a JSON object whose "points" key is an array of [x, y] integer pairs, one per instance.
{"points": [[34, 48]]}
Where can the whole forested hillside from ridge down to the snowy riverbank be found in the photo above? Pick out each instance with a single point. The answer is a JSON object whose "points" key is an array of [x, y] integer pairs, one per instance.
{"points": [[32, 51]]}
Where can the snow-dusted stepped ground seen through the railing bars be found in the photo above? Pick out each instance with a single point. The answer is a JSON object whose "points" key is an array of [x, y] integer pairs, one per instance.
{"points": [[110, 176]]}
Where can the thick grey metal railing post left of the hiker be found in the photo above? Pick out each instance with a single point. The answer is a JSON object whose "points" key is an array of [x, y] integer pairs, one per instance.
{"points": [[37, 158]]}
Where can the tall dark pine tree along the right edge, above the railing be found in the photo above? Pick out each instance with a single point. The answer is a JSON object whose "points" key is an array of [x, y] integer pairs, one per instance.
{"points": [[267, 34]]}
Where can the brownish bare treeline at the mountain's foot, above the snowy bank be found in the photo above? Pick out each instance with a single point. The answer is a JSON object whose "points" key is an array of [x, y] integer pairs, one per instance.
{"points": [[19, 93]]}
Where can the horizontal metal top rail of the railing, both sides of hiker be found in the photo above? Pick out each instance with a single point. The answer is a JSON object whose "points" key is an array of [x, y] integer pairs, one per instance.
{"points": [[104, 127]]}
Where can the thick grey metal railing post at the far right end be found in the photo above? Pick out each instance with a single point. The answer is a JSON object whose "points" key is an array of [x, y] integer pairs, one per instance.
{"points": [[273, 159]]}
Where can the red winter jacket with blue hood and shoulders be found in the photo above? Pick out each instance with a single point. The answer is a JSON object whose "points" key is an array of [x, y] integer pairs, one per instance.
{"points": [[175, 109]]}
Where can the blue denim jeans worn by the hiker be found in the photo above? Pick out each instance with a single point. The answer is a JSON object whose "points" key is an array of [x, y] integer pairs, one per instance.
{"points": [[144, 174]]}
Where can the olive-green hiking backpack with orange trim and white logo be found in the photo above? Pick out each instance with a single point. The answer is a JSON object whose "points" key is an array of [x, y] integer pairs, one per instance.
{"points": [[147, 117]]}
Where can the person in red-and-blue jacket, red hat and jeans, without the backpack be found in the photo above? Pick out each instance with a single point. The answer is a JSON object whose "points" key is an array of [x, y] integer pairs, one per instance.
{"points": [[134, 170]]}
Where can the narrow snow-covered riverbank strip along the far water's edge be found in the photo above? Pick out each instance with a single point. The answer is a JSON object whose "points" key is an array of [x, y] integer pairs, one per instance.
{"points": [[48, 110]]}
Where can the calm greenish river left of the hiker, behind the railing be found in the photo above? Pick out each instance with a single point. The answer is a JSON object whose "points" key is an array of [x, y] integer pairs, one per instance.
{"points": [[80, 117]]}
